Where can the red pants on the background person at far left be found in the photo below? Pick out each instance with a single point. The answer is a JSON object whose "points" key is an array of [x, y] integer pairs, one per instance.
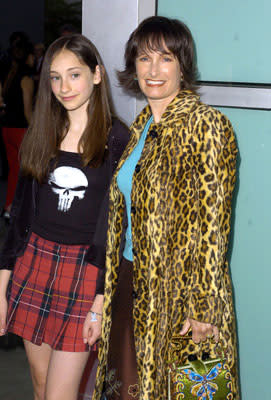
{"points": [[12, 138]]}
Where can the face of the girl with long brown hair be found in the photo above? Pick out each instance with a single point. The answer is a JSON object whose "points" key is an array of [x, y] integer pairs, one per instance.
{"points": [[72, 81]]}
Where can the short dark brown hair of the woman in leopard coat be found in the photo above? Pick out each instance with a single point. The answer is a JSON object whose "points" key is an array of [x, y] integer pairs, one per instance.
{"points": [[154, 34]]}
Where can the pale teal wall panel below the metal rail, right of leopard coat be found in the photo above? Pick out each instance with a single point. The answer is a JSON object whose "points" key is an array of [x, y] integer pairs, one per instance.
{"points": [[250, 259]]}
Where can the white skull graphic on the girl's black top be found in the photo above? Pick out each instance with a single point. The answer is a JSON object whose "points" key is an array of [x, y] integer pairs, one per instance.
{"points": [[68, 183]]}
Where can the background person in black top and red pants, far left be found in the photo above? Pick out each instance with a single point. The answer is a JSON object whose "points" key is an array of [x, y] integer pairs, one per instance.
{"points": [[18, 93]]}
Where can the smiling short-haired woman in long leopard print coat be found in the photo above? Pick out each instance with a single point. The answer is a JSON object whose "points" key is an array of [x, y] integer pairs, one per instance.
{"points": [[175, 179]]}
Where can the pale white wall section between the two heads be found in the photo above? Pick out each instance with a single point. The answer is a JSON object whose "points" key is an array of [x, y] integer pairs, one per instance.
{"points": [[109, 23]]}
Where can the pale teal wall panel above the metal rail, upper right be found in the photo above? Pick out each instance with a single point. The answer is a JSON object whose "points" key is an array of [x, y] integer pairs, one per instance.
{"points": [[231, 36]]}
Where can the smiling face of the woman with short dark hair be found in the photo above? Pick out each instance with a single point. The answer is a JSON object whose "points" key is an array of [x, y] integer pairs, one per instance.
{"points": [[159, 75]]}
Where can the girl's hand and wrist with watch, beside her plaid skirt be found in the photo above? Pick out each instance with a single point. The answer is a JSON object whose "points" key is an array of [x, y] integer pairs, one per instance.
{"points": [[92, 329]]}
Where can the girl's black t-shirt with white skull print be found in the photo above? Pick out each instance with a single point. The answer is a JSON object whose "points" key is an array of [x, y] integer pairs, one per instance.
{"points": [[69, 202]]}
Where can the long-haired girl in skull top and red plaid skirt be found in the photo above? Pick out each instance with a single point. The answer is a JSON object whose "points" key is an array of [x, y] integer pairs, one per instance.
{"points": [[67, 160]]}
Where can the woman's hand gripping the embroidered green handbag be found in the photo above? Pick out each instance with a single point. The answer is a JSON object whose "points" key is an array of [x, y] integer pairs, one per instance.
{"points": [[200, 331]]}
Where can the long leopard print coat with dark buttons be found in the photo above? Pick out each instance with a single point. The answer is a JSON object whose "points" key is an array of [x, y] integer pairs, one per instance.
{"points": [[181, 198]]}
